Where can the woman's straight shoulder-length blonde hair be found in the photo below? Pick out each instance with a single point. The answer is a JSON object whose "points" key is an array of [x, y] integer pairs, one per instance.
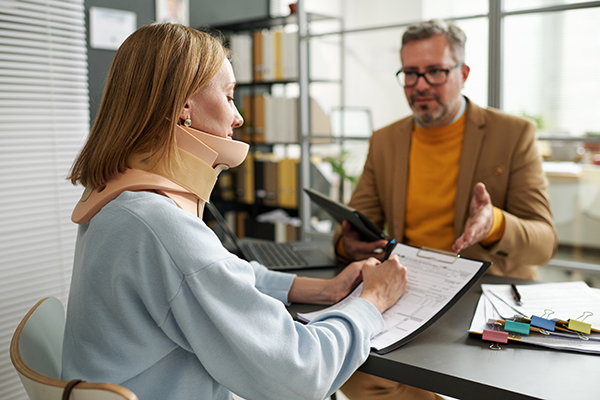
{"points": [[153, 74]]}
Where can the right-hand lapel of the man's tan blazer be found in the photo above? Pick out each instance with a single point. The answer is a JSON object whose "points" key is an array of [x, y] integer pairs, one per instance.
{"points": [[469, 158]]}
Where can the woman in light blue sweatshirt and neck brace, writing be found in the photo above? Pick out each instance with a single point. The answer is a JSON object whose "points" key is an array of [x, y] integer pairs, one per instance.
{"points": [[156, 303]]}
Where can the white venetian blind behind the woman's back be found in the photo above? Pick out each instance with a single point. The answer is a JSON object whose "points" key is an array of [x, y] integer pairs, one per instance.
{"points": [[44, 119]]}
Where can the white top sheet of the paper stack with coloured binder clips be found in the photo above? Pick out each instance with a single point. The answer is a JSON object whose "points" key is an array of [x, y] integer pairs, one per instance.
{"points": [[566, 299]]}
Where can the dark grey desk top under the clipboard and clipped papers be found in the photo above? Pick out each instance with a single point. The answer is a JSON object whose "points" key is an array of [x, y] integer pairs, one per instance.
{"points": [[446, 359]]}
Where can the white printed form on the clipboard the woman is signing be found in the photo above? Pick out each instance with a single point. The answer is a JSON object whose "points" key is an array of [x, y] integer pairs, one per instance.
{"points": [[433, 282]]}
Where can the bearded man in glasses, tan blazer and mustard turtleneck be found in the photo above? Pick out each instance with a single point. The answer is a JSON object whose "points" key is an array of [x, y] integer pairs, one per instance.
{"points": [[453, 176]]}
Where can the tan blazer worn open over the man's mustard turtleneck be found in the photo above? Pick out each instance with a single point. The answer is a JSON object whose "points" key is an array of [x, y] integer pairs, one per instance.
{"points": [[499, 150]]}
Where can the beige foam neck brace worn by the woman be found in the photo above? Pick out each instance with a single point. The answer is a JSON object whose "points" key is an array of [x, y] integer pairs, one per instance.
{"points": [[189, 185]]}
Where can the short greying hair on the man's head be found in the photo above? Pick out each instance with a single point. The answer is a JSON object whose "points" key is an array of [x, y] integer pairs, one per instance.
{"points": [[424, 30]]}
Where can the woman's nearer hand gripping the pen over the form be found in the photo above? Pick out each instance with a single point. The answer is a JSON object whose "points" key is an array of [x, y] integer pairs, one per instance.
{"points": [[384, 283]]}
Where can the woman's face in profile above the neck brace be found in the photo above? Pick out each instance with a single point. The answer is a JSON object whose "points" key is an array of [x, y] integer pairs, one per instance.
{"points": [[212, 109]]}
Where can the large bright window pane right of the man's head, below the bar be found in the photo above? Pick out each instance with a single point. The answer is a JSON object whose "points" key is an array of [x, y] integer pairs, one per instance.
{"points": [[551, 69]]}
